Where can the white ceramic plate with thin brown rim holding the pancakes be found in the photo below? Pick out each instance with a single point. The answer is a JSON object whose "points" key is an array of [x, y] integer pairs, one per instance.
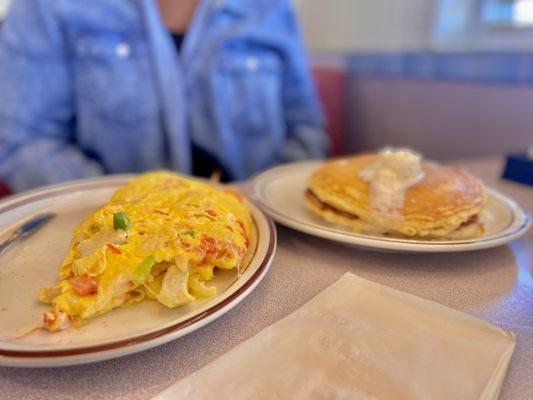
{"points": [[280, 192]]}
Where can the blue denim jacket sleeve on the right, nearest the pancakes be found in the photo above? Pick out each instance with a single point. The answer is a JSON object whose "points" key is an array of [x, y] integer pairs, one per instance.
{"points": [[306, 136]]}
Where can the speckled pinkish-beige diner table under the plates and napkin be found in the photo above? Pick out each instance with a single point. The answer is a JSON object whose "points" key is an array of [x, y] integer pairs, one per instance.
{"points": [[495, 285]]}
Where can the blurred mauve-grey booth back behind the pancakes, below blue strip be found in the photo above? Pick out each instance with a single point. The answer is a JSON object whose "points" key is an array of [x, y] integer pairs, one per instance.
{"points": [[444, 120]]}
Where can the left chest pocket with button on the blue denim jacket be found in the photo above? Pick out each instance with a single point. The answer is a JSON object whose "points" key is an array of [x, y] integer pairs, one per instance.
{"points": [[113, 78]]}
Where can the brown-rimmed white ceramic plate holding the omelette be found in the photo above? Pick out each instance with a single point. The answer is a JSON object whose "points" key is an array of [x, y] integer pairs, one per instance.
{"points": [[33, 263]]}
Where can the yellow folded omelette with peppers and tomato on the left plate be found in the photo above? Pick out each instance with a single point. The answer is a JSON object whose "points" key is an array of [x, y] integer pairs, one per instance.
{"points": [[161, 237]]}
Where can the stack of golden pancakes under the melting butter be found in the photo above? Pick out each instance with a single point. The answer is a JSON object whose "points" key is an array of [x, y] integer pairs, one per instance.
{"points": [[445, 204]]}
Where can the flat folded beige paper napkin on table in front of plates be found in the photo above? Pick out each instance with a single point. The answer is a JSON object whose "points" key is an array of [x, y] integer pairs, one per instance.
{"points": [[360, 340]]}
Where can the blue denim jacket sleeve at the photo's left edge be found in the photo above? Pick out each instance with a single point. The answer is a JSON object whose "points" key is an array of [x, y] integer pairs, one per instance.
{"points": [[36, 101]]}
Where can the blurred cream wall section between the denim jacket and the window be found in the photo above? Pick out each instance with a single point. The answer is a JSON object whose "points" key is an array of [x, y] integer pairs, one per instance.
{"points": [[346, 26]]}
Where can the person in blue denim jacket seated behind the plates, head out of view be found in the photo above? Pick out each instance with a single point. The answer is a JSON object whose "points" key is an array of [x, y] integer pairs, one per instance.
{"points": [[94, 86]]}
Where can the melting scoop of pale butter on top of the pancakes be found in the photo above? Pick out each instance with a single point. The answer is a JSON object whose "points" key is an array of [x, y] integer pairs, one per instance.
{"points": [[390, 176]]}
